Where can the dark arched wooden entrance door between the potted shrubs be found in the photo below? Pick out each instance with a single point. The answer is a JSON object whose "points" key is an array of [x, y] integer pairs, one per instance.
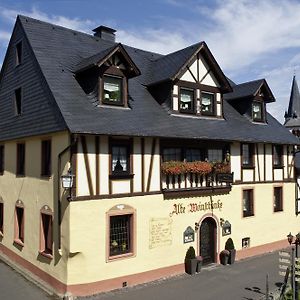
{"points": [[208, 240]]}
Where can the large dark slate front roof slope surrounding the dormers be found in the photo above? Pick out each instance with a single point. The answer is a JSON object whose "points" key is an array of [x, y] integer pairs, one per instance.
{"points": [[59, 50]]}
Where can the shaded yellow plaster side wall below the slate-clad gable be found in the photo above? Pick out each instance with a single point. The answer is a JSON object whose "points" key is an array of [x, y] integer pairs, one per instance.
{"points": [[35, 192]]}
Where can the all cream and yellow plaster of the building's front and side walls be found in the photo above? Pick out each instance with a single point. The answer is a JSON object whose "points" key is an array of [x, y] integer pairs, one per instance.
{"points": [[85, 219]]}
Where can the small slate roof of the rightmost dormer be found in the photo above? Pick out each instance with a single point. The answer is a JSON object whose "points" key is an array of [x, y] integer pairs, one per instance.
{"points": [[247, 89]]}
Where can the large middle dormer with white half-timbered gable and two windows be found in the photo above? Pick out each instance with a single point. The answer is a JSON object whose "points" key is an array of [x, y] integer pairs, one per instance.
{"points": [[197, 82]]}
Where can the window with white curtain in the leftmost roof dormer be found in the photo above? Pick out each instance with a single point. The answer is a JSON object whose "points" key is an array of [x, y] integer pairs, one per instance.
{"points": [[112, 90]]}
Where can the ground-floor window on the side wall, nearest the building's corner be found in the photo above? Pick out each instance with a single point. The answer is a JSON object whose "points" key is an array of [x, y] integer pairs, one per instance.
{"points": [[46, 245]]}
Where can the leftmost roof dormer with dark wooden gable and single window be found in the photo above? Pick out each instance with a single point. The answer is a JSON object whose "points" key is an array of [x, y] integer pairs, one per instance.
{"points": [[105, 75]]}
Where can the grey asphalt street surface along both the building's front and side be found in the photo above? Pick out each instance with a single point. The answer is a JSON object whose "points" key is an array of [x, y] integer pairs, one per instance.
{"points": [[246, 279]]}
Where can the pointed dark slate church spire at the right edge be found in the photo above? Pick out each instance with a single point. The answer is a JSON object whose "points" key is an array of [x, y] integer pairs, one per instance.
{"points": [[292, 117]]}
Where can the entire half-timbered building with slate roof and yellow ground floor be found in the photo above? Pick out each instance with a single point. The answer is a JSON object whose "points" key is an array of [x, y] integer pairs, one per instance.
{"points": [[164, 151]]}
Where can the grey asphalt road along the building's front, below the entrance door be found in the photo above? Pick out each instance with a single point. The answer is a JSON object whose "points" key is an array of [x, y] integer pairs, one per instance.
{"points": [[245, 279]]}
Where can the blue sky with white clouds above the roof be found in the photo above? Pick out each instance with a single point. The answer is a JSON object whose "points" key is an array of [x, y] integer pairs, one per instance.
{"points": [[249, 39]]}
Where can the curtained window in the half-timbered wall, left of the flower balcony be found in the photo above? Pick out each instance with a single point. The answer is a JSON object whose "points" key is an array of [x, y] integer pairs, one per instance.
{"points": [[120, 158]]}
